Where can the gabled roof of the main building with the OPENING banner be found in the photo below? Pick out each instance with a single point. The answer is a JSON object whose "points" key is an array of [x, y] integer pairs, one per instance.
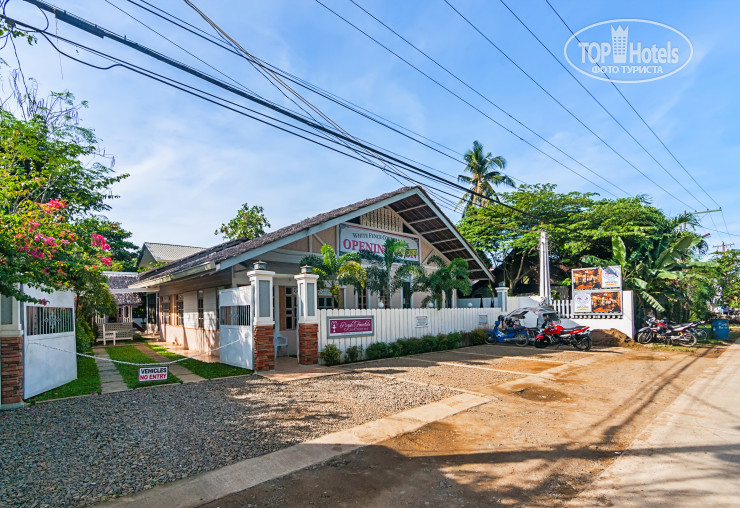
{"points": [[413, 204]]}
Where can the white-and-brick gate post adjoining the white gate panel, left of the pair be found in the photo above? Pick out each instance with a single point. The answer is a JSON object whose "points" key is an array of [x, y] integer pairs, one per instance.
{"points": [[264, 349]]}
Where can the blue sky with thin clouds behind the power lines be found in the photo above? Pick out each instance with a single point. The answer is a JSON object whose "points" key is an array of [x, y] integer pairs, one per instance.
{"points": [[193, 164]]}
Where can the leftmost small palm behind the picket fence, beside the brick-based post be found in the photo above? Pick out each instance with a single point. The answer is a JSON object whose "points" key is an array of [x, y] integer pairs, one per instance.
{"points": [[336, 271]]}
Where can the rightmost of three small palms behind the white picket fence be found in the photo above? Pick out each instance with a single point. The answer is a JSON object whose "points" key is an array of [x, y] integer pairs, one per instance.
{"points": [[443, 281]]}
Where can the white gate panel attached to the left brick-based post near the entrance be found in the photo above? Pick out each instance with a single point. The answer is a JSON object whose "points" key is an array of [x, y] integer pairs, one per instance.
{"points": [[235, 327]]}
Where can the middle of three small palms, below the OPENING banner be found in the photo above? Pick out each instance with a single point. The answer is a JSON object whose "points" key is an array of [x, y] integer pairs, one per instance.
{"points": [[381, 276]]}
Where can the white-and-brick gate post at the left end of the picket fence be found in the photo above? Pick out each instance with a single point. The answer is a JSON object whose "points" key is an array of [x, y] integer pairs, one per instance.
{"points": [[308, 320]]}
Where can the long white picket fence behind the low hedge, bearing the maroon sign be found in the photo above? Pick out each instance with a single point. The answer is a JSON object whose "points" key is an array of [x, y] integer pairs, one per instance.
{"points": [[393, 324]]}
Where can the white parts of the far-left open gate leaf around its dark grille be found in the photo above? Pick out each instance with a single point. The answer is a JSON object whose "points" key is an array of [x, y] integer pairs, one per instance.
{"points": [[45, 368]]}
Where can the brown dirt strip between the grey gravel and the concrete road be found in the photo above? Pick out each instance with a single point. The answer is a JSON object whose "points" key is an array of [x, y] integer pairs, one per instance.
{"points": [[555, 420]]}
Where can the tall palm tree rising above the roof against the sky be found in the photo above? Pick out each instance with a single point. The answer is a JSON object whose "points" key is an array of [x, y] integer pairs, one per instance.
{"points": [[484, 176]]}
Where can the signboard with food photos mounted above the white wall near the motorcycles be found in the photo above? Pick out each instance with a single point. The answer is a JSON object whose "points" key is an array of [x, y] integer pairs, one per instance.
{"points": [[597, 290]]}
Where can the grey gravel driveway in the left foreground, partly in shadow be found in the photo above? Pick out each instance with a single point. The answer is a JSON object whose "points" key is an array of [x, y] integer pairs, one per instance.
{"points": [[77, 452]]}
